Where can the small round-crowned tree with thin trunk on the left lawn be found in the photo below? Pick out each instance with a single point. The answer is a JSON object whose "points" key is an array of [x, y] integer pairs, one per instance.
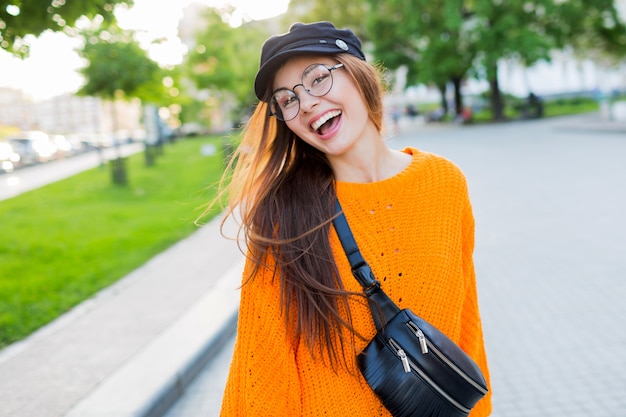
{"points": [[117, 68]]}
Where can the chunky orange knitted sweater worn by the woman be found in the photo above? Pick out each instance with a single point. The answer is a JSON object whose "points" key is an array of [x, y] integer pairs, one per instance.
{"points": [[416, 230]]}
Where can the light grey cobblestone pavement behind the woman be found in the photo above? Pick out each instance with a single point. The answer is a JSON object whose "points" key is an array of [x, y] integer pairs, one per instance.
{"points": [[550, 206]]}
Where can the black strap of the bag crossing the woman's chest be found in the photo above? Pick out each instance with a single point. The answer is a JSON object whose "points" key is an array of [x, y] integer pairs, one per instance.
{"points": [[383, 309]]}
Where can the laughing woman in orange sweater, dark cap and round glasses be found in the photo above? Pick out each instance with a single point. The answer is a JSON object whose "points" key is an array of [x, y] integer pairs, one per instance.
{"points": [[315, 136]]}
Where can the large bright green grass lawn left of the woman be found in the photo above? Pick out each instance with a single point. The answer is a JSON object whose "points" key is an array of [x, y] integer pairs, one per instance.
{"points": [[64, 242]]}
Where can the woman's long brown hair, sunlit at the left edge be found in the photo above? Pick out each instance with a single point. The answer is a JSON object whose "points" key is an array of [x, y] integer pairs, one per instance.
{"points": [[283, 191]]}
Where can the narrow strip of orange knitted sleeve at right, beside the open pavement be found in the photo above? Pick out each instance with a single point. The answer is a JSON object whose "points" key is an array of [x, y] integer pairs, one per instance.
{"points": [[472, 341]]}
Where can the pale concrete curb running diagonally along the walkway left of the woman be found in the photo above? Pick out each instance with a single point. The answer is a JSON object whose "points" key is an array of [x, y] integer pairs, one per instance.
{"points": [[150, 382]]}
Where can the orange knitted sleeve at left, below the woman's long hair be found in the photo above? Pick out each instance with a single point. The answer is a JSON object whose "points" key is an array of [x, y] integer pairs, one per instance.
{"points": [[263, 379]]}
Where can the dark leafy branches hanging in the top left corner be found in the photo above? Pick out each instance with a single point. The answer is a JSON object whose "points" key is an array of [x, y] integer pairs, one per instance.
{"points": [[32, 17]]}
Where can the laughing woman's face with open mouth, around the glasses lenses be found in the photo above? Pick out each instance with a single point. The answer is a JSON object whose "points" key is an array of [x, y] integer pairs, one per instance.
{"points": [[333, 123]]}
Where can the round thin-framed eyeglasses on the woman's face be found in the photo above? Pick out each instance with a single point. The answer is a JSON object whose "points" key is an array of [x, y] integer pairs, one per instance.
{"points": [[317, 80]]}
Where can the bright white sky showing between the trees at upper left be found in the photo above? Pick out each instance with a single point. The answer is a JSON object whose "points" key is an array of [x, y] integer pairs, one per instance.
{"points": [[52, 67]]}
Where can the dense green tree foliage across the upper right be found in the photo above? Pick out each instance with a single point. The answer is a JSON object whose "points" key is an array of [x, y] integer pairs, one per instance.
{"points": [[446, 40]]}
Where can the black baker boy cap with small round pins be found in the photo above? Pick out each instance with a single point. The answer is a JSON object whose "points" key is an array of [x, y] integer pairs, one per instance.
{"points": [[316, 38]]}
